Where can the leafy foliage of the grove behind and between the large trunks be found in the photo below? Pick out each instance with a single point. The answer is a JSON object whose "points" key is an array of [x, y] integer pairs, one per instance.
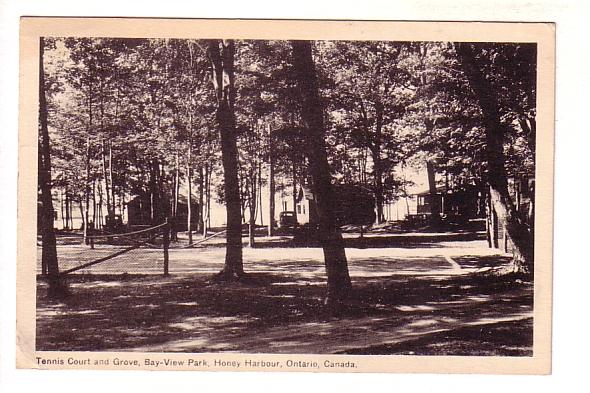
{"points": [[124, 113]]}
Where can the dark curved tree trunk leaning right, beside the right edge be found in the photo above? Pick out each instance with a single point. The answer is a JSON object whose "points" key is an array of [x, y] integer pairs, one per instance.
{"points": [[502, 203]]}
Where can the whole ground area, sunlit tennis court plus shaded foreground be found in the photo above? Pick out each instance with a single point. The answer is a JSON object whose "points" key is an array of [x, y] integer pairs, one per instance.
{"points": [[432, 297]]}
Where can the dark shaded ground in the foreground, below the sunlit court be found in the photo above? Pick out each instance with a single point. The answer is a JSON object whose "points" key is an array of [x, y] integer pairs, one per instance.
{"points": [[278, 312]]}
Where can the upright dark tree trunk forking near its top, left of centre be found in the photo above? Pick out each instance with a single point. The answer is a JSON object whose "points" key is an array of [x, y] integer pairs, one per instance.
{"points": [[221, 53]]}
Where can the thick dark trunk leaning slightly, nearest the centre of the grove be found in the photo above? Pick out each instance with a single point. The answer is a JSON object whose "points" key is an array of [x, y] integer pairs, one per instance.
{"points": [[339, 284]]}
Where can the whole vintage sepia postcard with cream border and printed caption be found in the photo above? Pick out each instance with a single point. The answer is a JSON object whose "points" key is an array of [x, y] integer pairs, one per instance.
{"points": [[285, 195]]}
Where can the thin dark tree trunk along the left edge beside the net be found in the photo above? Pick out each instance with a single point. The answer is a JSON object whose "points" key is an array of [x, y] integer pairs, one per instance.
{"points": [[57, 287]]}
